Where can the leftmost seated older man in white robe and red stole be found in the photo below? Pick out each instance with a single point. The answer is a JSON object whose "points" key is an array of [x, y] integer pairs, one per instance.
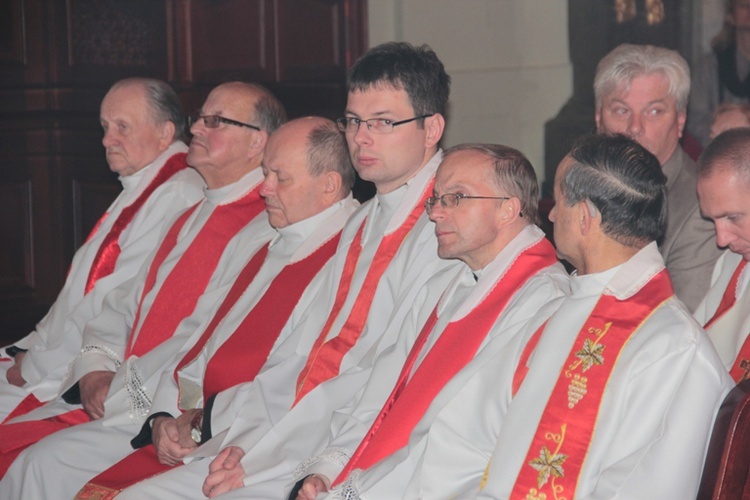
{"points": [[143, 137]]}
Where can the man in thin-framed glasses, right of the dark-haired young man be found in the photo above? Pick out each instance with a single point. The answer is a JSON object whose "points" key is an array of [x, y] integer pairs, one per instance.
{"points": [[484, 208]]}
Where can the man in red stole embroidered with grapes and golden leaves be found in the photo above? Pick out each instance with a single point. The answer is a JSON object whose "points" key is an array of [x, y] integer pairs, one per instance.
{"points": [[623, 387]]}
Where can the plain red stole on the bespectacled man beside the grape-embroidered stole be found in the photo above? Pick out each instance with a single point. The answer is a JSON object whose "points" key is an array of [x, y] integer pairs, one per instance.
{"points": [[454, 349]]}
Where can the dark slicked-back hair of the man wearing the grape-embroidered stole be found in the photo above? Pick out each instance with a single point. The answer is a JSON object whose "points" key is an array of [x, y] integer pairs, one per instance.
{"points": [[624, 182]]}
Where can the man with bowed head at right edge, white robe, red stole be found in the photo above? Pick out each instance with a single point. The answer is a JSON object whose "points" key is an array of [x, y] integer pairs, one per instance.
{"points": [[724, 193]]}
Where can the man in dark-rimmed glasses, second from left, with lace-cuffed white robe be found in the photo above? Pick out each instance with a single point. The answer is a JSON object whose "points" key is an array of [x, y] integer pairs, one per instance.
{"points": [[199, 254]]}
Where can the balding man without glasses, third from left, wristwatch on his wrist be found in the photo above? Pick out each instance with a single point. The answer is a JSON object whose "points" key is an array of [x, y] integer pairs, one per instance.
{"points": [[307, 184]]}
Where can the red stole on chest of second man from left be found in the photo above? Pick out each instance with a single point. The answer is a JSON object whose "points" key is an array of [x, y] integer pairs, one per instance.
{"points": [[178, 295]]}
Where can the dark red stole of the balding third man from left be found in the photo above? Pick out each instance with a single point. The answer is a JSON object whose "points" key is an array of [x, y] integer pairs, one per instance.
{"points": [[238, 360]]}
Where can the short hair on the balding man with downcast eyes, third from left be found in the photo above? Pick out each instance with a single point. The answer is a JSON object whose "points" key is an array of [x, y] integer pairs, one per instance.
{"points": [[327, 152]]}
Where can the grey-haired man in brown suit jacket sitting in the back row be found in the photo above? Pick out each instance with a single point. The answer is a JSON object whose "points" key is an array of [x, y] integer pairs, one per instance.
{"points": [[642, 91]]}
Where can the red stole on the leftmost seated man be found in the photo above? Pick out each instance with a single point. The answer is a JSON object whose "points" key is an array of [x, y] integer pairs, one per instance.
{"points": [[106, 257]]}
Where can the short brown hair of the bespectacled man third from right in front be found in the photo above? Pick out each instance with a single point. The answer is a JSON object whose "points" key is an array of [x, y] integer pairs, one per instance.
{"points": [[513, 174]]}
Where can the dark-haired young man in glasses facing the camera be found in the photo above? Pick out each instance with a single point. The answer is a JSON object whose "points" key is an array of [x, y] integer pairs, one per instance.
{"points": [[393, 123]]}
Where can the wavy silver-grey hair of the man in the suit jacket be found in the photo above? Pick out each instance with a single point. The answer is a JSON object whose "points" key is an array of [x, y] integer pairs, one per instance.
{"points": [[627, 61]]}
